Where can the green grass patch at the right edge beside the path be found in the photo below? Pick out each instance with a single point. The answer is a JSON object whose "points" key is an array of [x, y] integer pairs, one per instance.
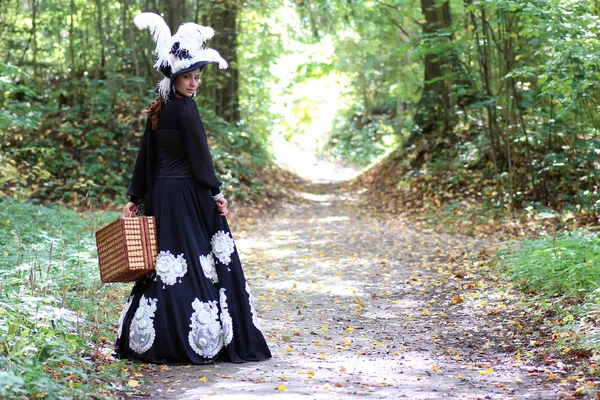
{"points": [[562, 278]]}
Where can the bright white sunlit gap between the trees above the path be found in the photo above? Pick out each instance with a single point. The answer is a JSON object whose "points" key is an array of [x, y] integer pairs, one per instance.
{"points": [[307, 110]]}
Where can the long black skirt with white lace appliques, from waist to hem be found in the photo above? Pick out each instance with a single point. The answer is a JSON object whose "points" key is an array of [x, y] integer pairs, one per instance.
{"points": [[196, 306]]}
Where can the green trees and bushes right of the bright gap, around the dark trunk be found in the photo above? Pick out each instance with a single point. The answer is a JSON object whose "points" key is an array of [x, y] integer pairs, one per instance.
{"points": [[522, 81]]}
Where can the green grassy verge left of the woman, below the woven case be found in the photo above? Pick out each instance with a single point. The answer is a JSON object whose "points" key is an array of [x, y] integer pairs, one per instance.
{"points": [[57, 320]]}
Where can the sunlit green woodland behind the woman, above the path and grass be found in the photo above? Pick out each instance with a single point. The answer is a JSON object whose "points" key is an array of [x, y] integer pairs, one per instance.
{"points": [[498, 95]]}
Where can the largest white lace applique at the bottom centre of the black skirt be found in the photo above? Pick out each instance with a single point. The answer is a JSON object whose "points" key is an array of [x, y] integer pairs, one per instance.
{"points": [[206, 336]]}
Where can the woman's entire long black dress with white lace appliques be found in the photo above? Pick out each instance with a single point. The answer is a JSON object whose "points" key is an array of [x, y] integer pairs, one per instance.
{"points": [[196, 306]]}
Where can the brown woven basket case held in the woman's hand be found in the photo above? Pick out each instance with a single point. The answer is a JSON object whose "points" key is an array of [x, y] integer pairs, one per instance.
{"points": [[127, 249]]}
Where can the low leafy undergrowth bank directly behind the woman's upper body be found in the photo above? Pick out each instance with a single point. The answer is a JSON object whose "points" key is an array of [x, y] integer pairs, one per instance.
{"points": [[84, 147]]}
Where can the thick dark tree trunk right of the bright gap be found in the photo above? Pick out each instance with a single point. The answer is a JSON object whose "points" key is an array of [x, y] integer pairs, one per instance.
{"points": [[434, 108]]}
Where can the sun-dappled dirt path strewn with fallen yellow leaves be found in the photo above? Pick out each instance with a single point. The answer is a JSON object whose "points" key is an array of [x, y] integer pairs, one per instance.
{"points": [[360, 305]]}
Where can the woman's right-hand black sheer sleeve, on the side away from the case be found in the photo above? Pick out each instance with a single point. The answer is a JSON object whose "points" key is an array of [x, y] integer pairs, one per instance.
{"points": [[196, 144]]}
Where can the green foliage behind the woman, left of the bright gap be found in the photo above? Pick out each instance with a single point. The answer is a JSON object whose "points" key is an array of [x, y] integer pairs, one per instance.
{"points": [[70, 105]]}
